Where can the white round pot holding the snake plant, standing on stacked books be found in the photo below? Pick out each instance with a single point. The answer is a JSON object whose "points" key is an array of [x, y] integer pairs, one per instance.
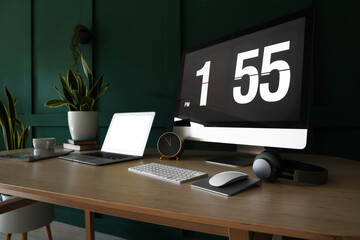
{"points": [[83, 124]]}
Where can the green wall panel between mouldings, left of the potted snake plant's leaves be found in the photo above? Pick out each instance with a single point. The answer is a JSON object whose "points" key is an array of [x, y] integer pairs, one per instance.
{"points": [[51, 33]]}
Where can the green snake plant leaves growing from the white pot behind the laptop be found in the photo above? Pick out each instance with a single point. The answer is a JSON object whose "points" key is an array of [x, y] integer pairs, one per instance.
{"points": [[76, 95]]}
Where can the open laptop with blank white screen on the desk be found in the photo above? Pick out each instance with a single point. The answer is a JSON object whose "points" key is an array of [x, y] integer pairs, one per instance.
{"points": [[125, 140]]}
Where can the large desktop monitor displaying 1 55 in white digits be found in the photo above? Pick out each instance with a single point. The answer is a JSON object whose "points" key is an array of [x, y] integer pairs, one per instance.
{"points": [[250, 88]]}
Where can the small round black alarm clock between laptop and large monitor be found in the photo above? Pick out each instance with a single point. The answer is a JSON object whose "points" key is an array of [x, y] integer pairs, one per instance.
{"points": [[170, 145]]}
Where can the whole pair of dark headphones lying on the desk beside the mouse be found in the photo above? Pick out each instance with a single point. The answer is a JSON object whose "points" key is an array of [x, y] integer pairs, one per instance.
{"points": [[269, 166]]}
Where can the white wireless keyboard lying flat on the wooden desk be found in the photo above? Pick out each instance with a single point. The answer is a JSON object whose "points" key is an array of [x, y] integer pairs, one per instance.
{"points": [[167, 173]]}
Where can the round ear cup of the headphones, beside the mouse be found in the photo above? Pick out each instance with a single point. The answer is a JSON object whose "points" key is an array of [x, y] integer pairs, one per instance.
{"points": [[267, 165]]}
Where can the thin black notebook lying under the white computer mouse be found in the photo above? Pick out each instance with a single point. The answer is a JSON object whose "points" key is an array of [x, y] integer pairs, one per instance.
{"points": [[227, 190]]}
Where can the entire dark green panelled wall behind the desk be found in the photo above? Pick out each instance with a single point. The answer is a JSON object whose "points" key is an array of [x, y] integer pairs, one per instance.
{"points": [[137, 46]]}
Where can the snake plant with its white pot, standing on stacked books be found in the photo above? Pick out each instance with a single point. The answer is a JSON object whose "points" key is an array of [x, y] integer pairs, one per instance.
{"points": [[80, 100]]}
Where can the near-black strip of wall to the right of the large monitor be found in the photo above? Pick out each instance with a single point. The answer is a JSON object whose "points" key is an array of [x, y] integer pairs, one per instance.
{"points": [[335, 115]]}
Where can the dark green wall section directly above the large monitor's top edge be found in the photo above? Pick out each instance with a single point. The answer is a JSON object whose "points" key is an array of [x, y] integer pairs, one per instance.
{"points": [[205, 20]]}
